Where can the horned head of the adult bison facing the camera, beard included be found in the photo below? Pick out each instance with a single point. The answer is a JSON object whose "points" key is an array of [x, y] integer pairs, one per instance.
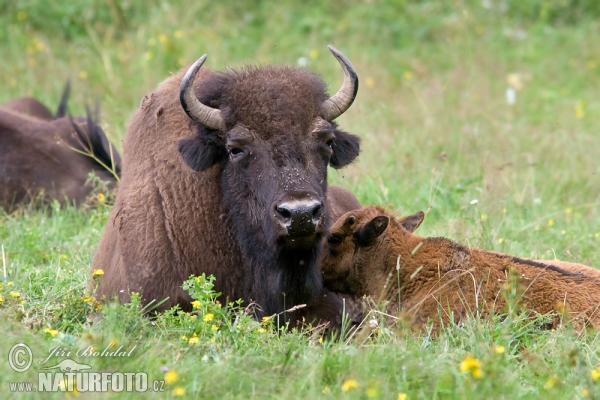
{"points": [[271, 131]]}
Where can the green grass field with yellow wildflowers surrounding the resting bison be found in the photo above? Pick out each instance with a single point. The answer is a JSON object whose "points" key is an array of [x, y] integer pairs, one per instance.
{"points": [[438, 135]]}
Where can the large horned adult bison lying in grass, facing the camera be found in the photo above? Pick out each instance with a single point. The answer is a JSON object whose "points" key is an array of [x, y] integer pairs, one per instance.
{"points": [[226, 173]]}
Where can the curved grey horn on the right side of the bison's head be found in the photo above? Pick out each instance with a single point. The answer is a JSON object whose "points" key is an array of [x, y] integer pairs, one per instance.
{"points": [[337, 104]]}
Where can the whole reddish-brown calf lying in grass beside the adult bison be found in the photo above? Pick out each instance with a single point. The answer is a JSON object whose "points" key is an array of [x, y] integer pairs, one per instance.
{"points": [[438, 277]]}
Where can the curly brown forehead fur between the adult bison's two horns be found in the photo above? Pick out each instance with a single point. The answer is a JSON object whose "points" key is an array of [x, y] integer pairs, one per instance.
{"points": [[266, 99]]}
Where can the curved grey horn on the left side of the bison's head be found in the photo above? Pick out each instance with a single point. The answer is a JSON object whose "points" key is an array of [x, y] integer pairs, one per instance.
{"points": [[205, 115]]}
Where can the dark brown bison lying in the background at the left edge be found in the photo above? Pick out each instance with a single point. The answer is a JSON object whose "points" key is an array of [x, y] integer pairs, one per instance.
{"points": [[48, 157]]}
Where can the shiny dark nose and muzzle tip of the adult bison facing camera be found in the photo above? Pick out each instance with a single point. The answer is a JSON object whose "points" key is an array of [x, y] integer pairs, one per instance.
{"points": [[299, 217]]}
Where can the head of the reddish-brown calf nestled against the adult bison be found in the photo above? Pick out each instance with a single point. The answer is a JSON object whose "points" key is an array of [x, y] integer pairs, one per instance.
{"points": [[360, 247]]}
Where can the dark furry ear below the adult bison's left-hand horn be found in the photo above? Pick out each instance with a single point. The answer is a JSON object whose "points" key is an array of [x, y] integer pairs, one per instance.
{"points": [[200, 152]]}
